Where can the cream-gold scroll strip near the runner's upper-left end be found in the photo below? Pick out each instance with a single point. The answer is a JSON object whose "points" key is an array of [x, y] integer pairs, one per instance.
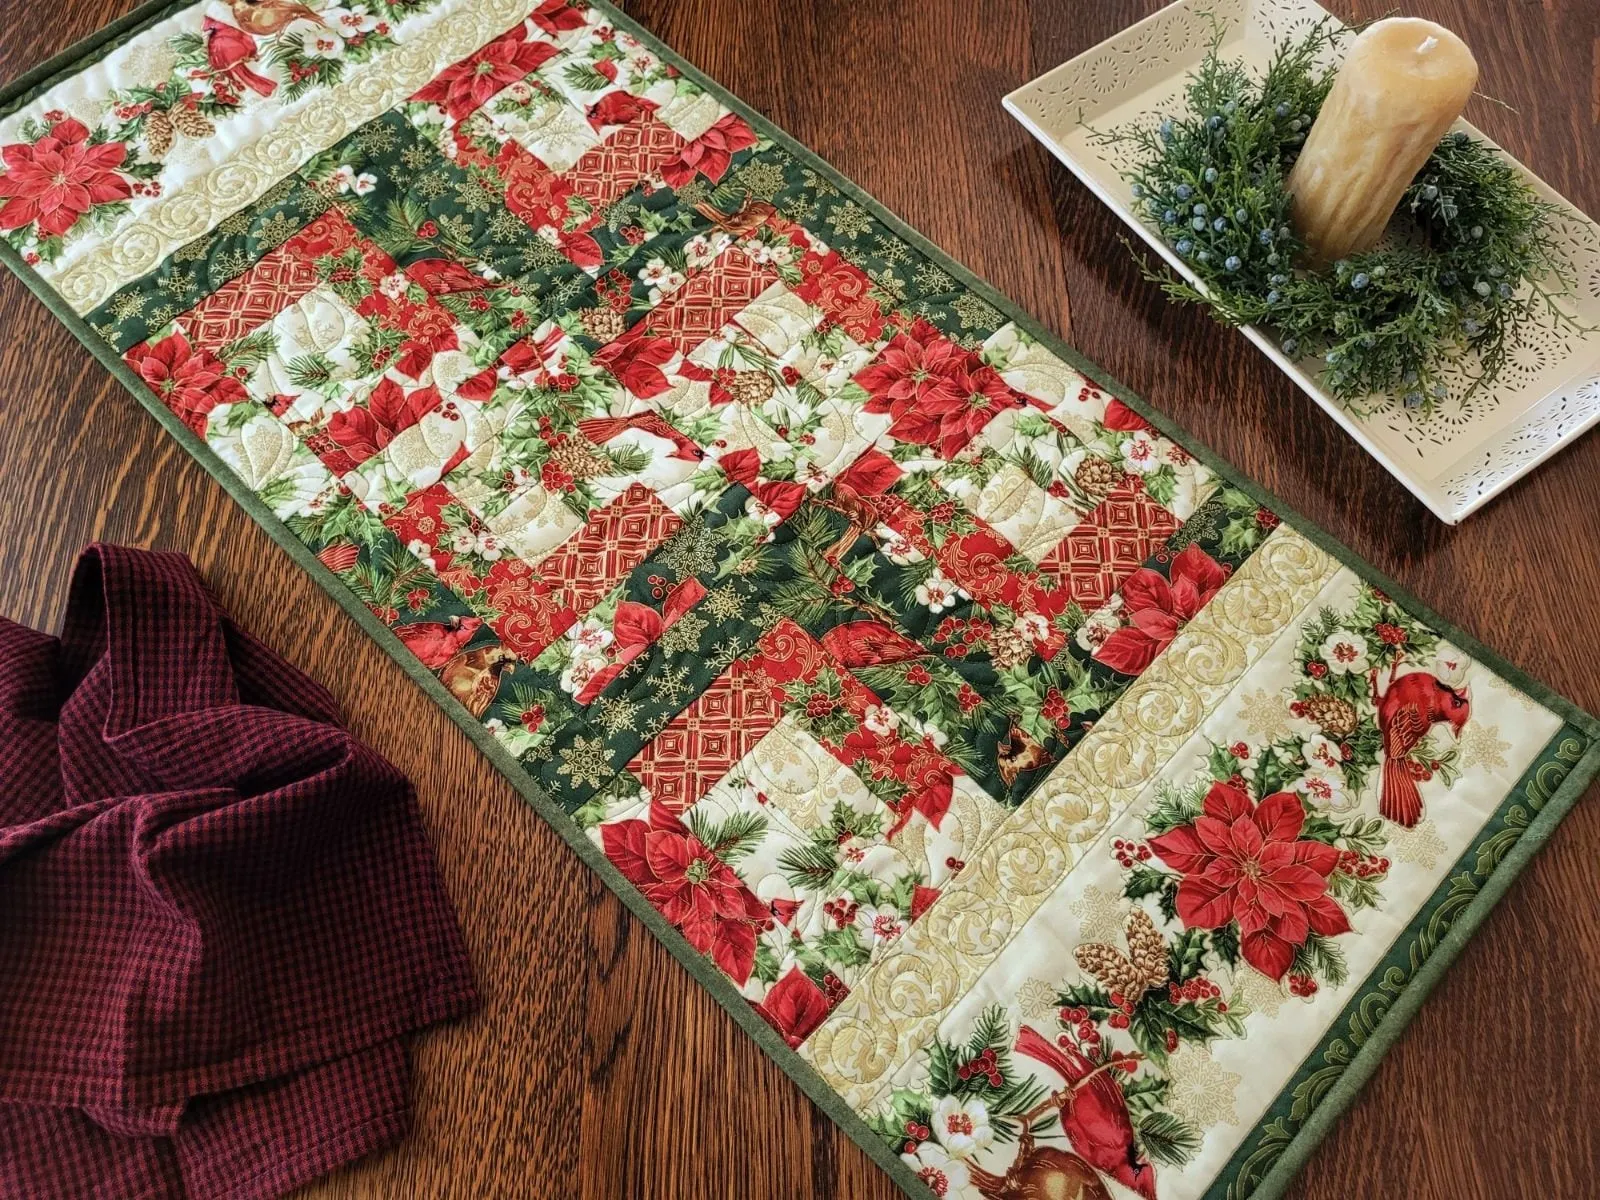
{"points": [[329, 116]]}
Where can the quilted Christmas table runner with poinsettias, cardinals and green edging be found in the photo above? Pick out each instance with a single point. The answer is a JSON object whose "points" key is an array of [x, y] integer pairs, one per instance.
{"points": [[1063, 815]]}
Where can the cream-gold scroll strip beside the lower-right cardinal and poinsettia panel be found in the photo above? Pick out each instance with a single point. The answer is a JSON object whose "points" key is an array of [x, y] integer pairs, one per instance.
{"points": [[898, 1007]]}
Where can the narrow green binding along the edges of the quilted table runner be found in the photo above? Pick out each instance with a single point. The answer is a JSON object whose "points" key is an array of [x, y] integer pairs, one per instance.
{"points": [[1385, 1033]]}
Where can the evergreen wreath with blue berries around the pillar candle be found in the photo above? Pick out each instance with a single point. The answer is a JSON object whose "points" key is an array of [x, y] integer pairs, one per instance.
{"points": [[1468, 265]]}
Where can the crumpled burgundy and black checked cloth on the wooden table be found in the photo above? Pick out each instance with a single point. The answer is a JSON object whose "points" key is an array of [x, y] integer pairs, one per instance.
{"points": [[218, 911]]}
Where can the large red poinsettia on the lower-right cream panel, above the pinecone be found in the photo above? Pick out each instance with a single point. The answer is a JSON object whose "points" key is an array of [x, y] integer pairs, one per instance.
{"points": [[1247, 865]]}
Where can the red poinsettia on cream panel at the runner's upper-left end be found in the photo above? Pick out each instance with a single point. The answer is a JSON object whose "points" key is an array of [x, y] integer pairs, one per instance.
{"points": [[60, 178]]}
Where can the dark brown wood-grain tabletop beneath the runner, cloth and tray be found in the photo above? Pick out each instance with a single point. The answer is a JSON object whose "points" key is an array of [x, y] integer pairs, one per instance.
{"points": [[598, 1068]]}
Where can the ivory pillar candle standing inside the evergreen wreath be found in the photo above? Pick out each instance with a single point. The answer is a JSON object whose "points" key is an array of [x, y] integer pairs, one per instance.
{"points": [[1401, 89]]}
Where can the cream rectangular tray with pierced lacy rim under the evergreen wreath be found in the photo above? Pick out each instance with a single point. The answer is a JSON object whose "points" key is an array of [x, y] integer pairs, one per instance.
{"points": [[1470, 449]]}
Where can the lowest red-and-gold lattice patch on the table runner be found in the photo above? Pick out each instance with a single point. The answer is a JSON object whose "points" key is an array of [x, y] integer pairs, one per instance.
{"points": [[705, 742]]}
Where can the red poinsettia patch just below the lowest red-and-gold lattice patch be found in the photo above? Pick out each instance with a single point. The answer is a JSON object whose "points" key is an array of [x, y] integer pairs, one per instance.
{"points": [[690, 887]]}
